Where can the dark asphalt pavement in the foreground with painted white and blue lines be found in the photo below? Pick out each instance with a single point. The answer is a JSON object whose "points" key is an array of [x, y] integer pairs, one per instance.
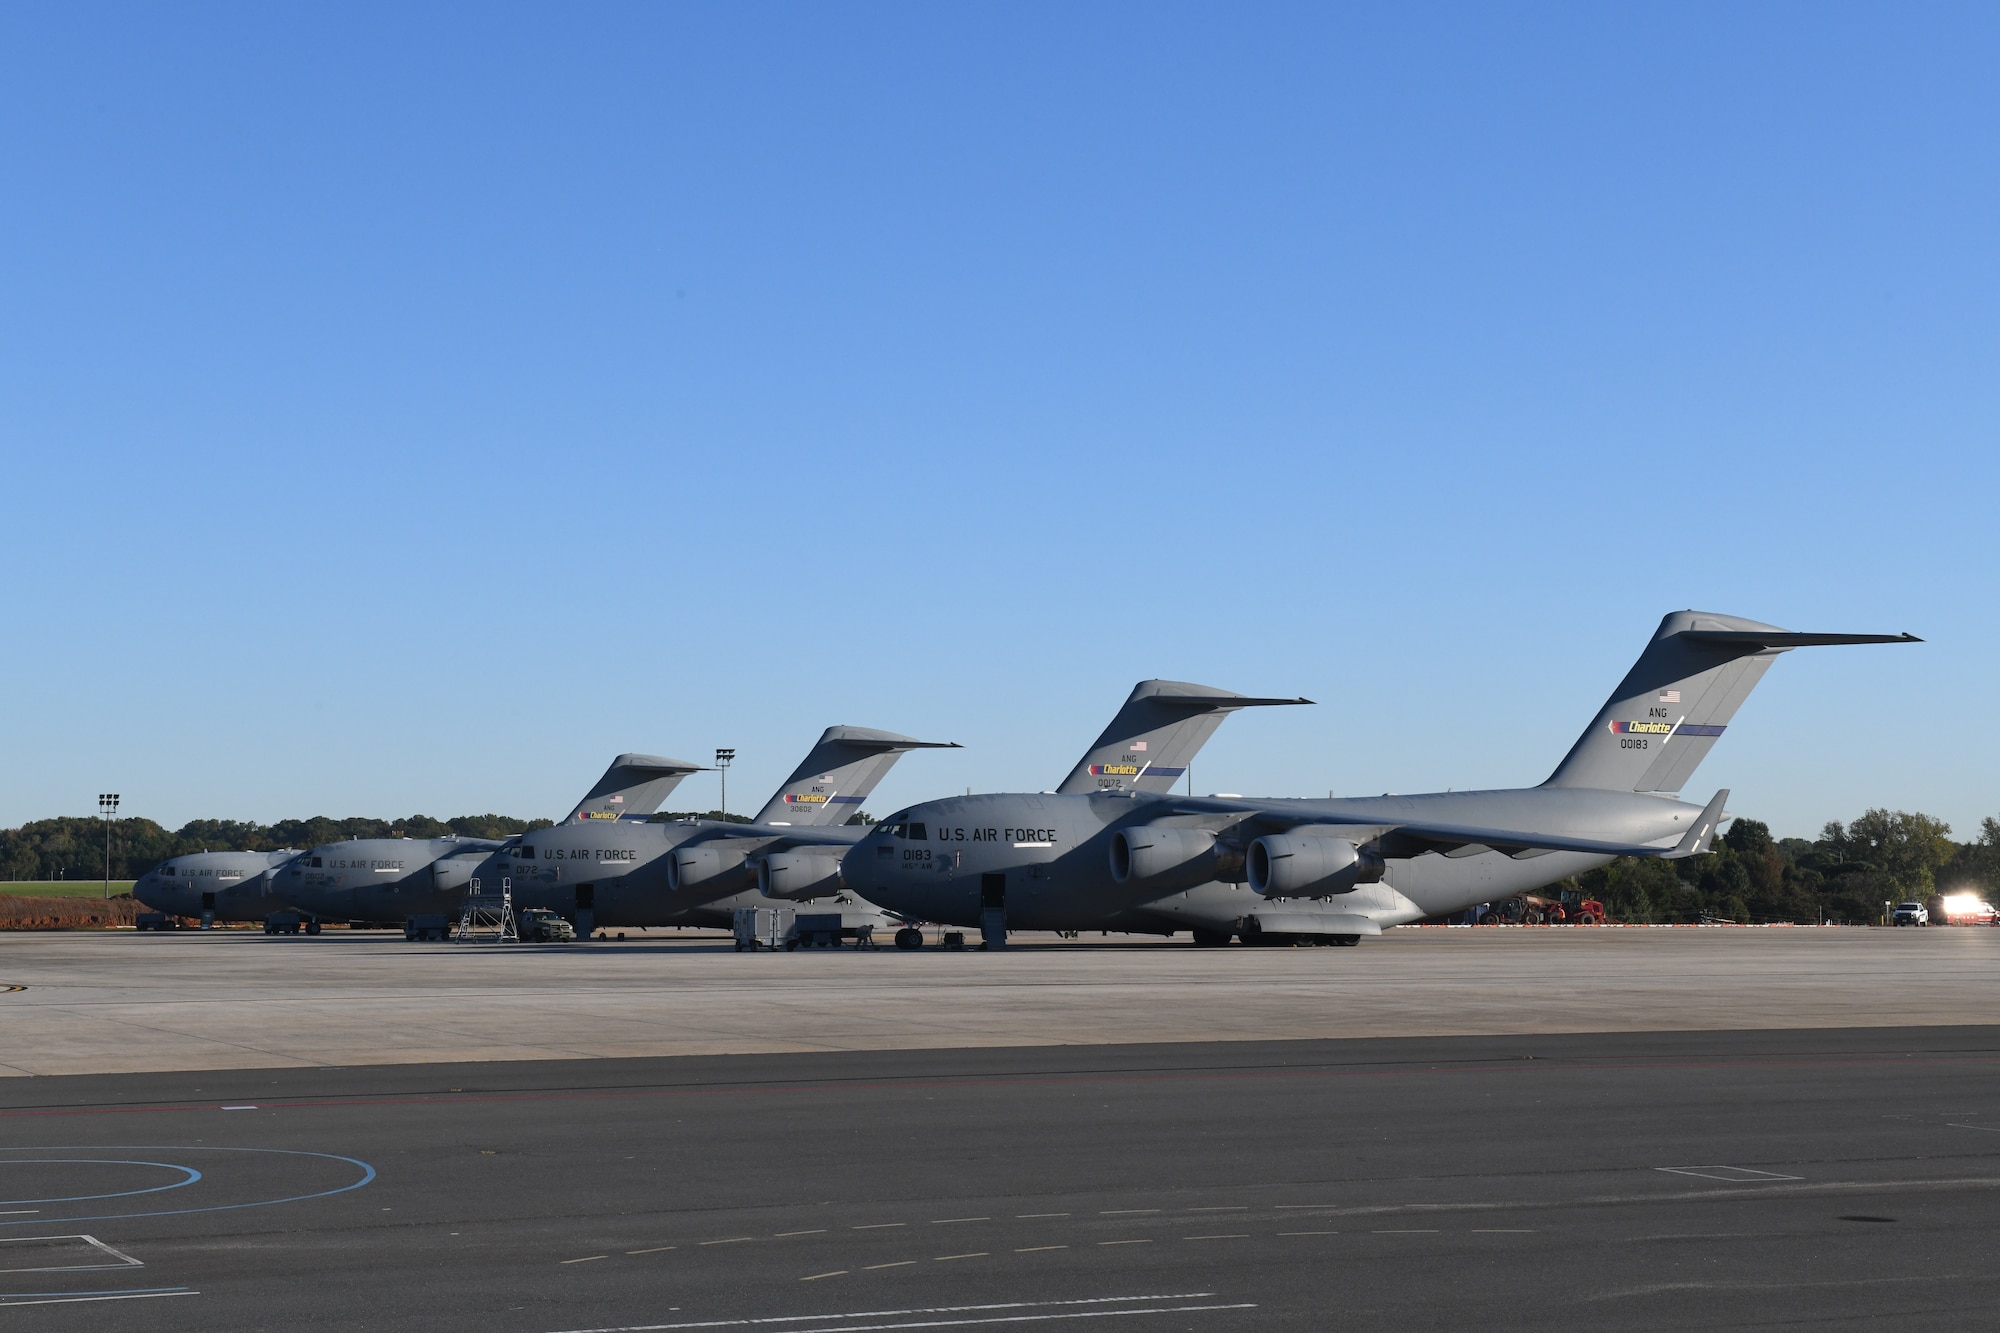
{"points": [[1613, 1182]]}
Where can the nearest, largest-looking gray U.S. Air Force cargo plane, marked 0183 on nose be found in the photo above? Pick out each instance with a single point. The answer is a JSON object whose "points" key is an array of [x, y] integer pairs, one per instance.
{"points": [[1275, 870]]}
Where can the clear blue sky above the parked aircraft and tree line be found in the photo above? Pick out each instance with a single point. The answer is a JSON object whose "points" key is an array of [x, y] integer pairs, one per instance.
{"points": [[405, 409]]}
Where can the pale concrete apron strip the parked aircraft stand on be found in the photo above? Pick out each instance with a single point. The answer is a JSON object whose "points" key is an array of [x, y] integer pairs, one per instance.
{"points": [[133, 1004]]}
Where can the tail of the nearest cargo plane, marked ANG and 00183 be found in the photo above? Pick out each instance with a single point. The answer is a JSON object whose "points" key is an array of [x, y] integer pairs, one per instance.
{"points": [[1679, 698]]}
